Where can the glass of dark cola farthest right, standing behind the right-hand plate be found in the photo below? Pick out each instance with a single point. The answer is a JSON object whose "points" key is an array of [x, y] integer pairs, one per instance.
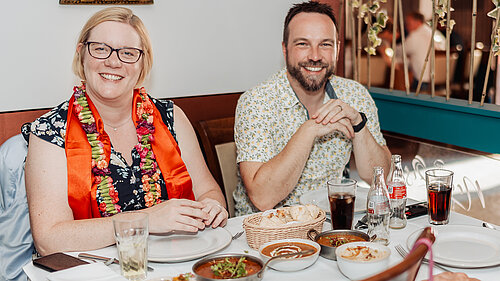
{"points": [[439, 184]]}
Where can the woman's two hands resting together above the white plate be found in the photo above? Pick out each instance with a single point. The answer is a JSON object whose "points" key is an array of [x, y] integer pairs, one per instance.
{"points": [[186, 215]]}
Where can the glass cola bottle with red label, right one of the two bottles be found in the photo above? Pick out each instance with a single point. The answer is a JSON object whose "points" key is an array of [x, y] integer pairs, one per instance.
{"points": [[397, 193]]}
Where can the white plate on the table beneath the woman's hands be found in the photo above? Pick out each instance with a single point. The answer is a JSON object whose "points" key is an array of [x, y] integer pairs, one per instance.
{"points": [[184, 247]]}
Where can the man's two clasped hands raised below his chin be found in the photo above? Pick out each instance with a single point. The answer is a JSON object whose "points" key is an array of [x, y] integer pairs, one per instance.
{"points": [[335, 115]]}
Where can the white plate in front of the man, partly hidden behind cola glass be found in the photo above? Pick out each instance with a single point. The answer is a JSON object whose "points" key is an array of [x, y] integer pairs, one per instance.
{"points": [[320, 198]]}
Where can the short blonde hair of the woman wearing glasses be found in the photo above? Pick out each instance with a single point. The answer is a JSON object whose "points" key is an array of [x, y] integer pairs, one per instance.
{"points": [[118, 14]]}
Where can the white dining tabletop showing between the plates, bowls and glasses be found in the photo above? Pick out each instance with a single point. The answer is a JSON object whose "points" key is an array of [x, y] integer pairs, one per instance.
{"points": [[322, 269]]}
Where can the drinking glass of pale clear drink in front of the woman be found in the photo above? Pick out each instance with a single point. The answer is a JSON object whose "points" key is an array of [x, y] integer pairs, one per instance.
{"points": [[131, 234]]}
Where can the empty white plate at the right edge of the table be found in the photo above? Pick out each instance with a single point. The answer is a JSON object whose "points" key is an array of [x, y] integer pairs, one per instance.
{"points": [[464, 246]]}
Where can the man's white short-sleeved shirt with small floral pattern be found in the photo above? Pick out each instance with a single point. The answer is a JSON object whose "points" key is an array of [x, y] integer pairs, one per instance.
{"points": [[268, 115]]}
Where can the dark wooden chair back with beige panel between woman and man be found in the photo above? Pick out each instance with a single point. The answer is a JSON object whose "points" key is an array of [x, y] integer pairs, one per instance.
{"points": [[217, 141]]}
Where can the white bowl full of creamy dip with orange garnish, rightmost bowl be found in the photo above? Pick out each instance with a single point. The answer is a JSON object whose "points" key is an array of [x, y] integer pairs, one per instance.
{"points": [[358, 260]]}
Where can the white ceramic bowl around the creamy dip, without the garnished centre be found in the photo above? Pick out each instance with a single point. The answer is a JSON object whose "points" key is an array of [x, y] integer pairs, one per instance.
{"points": [[359, 269]]}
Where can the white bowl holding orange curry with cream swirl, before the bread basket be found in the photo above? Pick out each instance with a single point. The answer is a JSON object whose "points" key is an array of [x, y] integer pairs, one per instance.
{"points": [[291, 264]]}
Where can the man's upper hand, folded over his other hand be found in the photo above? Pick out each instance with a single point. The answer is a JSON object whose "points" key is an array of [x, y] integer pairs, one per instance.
{"points": [[335, 110]]}
